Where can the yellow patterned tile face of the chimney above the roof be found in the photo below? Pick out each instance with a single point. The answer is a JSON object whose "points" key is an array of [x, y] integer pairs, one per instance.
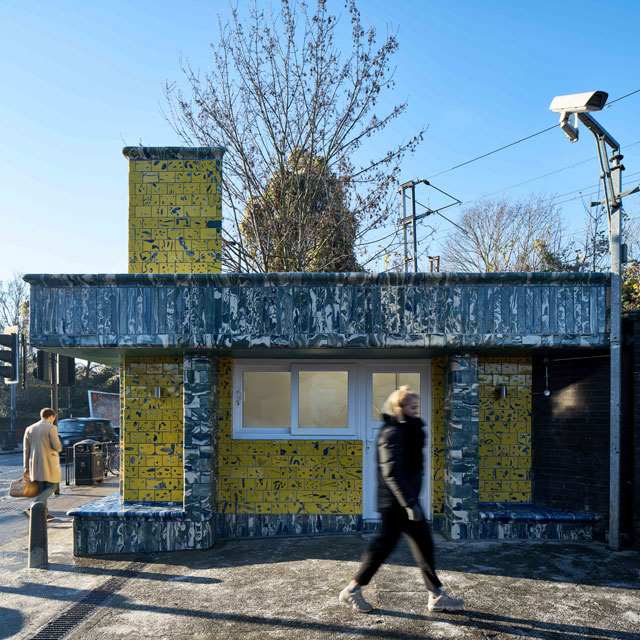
{"points": [[175, 213]]}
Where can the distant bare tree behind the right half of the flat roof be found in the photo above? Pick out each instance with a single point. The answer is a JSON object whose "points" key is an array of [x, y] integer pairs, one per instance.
{"points": [[504, 235]]}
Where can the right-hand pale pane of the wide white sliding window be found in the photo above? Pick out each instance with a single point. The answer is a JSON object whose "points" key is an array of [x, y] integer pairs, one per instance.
{"points": [[323, 400]]}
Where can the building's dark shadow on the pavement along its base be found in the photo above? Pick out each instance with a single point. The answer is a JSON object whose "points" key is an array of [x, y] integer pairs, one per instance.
{"points": [[554, 561]]}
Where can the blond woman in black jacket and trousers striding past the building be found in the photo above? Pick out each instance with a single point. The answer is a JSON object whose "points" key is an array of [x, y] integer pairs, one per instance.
{"points": [[400, 467]]}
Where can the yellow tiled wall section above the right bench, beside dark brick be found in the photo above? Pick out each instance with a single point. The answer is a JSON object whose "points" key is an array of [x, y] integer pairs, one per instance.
{"points": [[505, 430]]}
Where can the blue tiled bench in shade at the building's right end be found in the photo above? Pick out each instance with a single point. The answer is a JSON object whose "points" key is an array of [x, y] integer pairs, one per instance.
{"points": [[532, 521]]}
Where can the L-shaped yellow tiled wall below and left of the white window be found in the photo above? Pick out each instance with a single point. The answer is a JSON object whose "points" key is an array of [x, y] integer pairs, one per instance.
{"points": [[284, 476]]}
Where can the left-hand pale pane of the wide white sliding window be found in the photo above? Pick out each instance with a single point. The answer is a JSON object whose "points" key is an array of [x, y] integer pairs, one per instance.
{"points": [[266, 399]]}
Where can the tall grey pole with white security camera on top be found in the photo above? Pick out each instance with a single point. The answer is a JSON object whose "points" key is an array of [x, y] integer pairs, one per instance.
{"points": [[579, 105]]}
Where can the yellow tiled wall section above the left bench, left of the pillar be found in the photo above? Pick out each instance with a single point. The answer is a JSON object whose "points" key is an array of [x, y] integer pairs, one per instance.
{"points": [[152, 430]]}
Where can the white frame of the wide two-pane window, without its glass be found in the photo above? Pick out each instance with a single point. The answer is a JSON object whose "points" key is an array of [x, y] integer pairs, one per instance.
{"points": [[294, 433]]}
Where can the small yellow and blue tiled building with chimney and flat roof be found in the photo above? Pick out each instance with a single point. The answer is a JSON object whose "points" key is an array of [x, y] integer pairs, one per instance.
{"points": [[250, 403]]}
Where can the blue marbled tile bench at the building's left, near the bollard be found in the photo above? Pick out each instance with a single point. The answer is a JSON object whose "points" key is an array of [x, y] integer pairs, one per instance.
{"points": [[109, 526]]}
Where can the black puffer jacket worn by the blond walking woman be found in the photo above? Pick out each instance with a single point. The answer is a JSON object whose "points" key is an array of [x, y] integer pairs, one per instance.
{"points": [[400, 462]]}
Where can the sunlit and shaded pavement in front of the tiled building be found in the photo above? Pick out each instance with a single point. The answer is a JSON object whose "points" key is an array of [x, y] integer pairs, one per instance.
{"points": [[287, 588]]}
